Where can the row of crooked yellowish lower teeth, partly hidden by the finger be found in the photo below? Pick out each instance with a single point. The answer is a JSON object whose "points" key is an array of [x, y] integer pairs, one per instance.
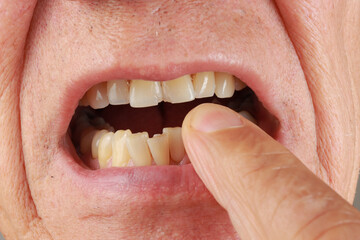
{"points": [[125, 149]]}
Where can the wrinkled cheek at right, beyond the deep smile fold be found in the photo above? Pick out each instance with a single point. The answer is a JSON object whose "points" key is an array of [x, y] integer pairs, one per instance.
{"points": [[324, 39]]}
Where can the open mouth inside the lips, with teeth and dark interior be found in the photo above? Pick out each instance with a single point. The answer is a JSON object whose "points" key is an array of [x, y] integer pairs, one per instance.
{"points": [[134, 123]]}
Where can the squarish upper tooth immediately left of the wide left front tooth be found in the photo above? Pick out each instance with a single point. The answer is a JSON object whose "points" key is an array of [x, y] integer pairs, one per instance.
{"points": [[118, 92]]}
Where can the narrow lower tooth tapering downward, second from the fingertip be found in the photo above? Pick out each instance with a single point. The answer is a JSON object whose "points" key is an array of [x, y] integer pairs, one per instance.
{"points": [[159, 148]]}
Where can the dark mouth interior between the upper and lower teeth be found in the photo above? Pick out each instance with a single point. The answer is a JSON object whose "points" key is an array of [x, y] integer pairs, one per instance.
{"points": [[154, 119]]}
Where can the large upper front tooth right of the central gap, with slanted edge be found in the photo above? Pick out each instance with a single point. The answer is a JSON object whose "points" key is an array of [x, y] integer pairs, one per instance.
{"points": [[179, 90]]}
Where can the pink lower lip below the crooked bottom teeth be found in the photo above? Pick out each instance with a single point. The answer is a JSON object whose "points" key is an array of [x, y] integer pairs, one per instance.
{"points": [[151, 179]]}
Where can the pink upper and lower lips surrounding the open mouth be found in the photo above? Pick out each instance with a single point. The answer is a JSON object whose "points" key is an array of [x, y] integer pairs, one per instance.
{"points": [[165, 179]]}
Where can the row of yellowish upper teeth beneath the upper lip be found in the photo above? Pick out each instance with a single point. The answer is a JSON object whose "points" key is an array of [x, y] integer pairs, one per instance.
{"points": [[141, 93]]}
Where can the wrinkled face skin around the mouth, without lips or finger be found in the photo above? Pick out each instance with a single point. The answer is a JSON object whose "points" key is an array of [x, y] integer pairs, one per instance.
{"points": [[307, 50]]}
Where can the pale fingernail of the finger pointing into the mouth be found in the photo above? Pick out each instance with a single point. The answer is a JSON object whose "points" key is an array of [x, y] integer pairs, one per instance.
{"points": [[213, 117]]}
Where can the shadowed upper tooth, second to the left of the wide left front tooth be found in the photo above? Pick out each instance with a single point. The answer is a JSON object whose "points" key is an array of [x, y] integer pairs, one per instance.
{"points": [[97, 96]]}
